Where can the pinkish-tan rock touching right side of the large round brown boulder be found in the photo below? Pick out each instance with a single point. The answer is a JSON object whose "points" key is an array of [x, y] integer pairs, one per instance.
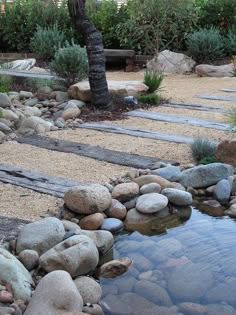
{"points": [[125, 191]]}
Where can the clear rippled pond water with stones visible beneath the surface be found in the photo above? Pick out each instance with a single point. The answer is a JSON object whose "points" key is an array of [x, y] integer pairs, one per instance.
{"points": [[187, 269]]}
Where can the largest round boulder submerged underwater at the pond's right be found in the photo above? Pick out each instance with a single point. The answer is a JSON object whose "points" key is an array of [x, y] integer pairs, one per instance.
{"points": [[191, 282]]}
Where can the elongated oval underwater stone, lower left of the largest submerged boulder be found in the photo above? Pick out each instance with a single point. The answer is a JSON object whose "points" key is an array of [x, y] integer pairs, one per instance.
{"points": [[152, 292]]}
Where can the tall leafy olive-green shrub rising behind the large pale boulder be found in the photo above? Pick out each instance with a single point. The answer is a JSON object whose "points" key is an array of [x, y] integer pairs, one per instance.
{"points": [[156, 24]]}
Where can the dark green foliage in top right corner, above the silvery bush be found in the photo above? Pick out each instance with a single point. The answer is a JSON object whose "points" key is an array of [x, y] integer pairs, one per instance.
{"points": [[216, 13]]}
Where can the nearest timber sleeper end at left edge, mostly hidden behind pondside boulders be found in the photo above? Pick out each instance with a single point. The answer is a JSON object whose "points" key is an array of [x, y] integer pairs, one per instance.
{"points": [[10, 227]]}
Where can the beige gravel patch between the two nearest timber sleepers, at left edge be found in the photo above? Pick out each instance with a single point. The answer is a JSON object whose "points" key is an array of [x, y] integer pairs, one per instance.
{"points": [[25, 203]]}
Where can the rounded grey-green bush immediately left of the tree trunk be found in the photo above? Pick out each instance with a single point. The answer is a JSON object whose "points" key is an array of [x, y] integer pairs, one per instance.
{"points": [[70, 63]]}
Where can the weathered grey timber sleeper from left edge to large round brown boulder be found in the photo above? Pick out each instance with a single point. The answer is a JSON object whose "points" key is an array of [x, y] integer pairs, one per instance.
{"points": [[37, 181]]}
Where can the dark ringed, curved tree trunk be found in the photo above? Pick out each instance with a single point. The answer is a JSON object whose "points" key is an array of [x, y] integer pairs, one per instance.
{"points": [[95, 50]]}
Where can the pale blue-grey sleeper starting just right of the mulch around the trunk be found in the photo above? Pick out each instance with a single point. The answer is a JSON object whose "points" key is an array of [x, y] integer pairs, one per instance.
{"points": [[178, 119]]}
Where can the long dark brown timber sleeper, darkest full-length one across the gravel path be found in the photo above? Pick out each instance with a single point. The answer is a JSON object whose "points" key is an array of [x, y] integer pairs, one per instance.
{"points": [[95, 152]]}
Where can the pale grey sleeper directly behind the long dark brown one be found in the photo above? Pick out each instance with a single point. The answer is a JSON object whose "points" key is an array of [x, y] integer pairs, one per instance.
{"points": [[136, 132]]}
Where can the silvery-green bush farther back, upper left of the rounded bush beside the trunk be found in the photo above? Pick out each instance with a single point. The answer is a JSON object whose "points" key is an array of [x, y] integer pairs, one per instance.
{"points": [[46, 41]]}
